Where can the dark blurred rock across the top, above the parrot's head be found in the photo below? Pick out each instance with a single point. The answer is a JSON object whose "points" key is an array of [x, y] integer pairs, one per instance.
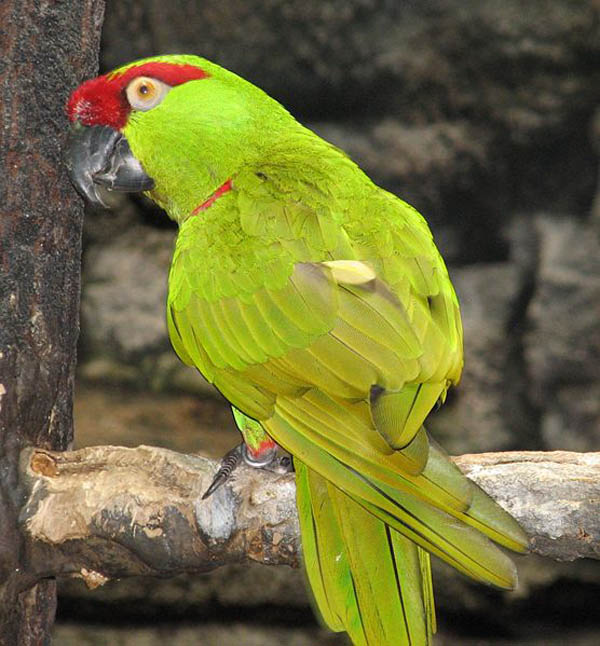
{"points": [[524, 67]]}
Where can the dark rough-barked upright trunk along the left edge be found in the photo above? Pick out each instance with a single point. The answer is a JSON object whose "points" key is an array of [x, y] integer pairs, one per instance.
{"points": [[45, 49]]}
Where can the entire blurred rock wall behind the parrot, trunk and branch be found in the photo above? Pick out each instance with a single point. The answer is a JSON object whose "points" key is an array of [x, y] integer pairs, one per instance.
{"points": [[483, 115]]}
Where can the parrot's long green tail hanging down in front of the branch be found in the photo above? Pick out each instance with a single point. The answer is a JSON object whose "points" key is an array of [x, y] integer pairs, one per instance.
{"points": [[376, 592]]}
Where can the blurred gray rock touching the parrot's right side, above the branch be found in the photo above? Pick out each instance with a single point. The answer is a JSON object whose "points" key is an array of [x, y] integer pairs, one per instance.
{"points": [[480, 413]]}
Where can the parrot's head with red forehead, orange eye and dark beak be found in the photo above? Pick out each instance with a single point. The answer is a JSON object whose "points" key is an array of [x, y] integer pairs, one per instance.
{"points": [[177, 127]]}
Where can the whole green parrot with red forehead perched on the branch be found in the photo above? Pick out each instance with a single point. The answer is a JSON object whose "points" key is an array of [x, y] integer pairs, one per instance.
{"points": [[318, 304]]}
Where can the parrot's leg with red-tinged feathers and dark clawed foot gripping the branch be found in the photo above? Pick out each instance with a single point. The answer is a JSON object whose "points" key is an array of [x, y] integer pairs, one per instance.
{"points": [[257, 450]]}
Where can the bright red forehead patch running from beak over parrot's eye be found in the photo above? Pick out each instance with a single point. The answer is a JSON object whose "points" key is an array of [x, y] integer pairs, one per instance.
{"points": [[102, 102]]}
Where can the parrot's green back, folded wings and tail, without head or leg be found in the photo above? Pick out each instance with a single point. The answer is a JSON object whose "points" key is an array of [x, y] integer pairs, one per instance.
{"points": [[340, 340]]}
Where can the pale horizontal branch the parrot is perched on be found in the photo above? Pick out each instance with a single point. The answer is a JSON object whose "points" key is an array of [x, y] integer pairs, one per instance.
{"points": [[107, 512]]}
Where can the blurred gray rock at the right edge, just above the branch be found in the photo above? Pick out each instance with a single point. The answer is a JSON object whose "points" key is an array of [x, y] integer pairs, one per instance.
{"points": [[562, 346]]}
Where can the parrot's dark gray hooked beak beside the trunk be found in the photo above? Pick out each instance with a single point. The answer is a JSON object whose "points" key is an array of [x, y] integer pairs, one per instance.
{"points": [[100, 156]]}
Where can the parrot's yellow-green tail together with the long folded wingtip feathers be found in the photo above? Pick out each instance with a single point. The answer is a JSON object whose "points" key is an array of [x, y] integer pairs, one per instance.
{"points": [[366, 543]]}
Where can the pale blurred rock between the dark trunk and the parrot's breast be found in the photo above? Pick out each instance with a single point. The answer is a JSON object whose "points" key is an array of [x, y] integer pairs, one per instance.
{"points": [[124, 332]]}
